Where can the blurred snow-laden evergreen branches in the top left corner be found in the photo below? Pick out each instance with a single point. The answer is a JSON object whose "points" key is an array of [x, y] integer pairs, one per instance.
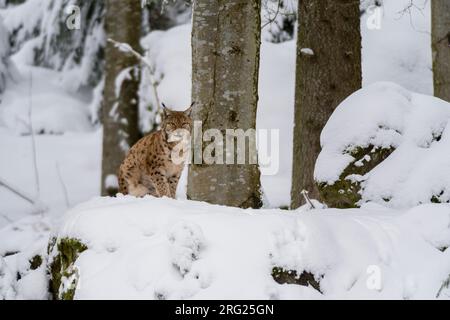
{"points": [[44, 34]]}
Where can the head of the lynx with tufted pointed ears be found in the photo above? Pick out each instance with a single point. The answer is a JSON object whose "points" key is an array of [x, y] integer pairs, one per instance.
{"points": [[176, 125]]}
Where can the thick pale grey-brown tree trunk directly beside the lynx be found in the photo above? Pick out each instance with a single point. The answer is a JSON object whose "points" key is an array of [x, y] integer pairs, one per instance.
{"points": [[225, 65]]}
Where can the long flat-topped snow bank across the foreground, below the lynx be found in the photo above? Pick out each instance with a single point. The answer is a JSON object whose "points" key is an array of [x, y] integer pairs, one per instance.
{"points": [[152, 248]]}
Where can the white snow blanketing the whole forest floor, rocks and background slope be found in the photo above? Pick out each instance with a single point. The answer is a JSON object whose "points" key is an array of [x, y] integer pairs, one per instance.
{"points": [[161, 248]]}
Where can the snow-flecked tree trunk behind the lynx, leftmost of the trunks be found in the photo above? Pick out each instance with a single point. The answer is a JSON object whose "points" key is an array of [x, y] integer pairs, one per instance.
{"points": [[120, 96]]}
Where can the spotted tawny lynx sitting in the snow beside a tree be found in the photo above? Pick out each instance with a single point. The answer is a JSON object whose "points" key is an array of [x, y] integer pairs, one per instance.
{"points": [[148, 167]]}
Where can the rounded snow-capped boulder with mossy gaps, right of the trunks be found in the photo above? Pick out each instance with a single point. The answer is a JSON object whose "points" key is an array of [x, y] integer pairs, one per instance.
{"points": [[389, 142]]}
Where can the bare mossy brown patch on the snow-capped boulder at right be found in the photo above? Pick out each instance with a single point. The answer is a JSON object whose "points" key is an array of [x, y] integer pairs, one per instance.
{"points": [[345, 193]]}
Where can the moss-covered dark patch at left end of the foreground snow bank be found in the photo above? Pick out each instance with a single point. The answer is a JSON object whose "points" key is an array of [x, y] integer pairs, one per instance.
{"points": [[63, 274]]}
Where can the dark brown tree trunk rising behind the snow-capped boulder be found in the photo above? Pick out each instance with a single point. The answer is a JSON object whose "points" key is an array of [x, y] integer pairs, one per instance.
{"points": [[328, 70]]}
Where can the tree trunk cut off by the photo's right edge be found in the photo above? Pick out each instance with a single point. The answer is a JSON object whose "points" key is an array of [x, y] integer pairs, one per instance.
{"points": [[440, 32]]}
